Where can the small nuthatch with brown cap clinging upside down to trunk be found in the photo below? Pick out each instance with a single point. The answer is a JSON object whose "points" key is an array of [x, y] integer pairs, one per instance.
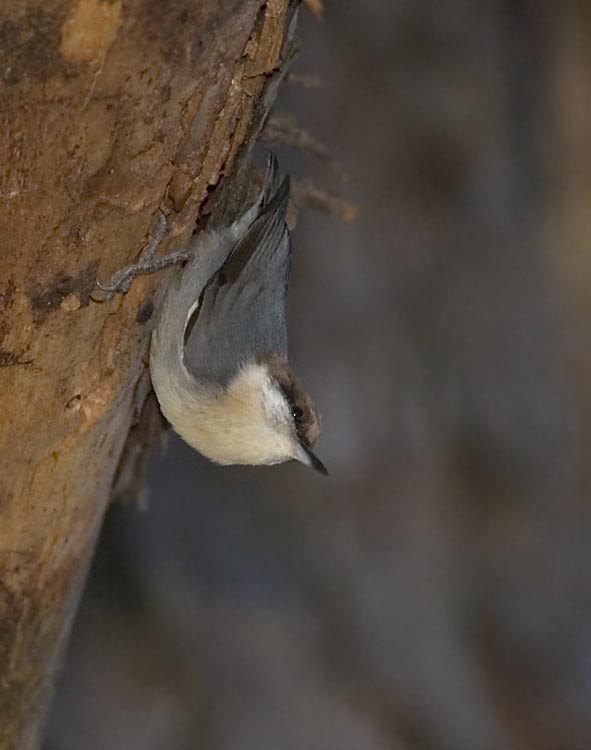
{"points": [[218, 357]]}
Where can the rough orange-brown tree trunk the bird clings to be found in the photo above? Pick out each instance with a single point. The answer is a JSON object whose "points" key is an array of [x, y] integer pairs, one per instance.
{"points": [[108, 111]]}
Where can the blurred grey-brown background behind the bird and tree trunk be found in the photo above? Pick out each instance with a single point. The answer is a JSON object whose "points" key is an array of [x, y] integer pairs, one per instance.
{"points": [[434, 593]]}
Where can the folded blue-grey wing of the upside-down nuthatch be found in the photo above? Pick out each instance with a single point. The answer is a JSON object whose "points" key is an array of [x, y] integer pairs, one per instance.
{"points": [[241, 315]]}
